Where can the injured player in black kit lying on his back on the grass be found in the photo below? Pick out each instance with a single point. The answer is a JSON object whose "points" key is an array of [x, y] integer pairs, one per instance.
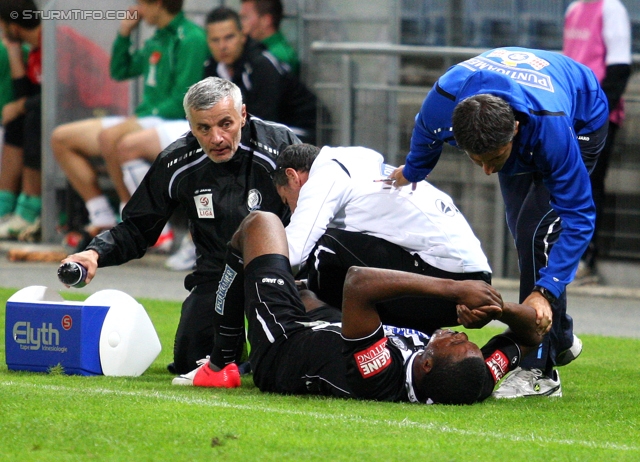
{"points": [[297, 347]]}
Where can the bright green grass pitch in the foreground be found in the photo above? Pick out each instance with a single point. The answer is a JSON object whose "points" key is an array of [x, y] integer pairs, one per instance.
{"points": [[59, 417]]}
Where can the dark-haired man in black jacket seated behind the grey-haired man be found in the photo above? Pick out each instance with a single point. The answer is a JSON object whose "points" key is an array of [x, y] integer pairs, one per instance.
{"points": [[269, 90]]}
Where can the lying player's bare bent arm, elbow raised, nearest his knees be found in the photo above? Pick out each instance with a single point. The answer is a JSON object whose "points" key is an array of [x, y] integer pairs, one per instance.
{"points": [[364, 287]]}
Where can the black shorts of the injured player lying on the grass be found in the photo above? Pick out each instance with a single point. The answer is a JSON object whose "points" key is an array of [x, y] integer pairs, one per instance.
{"points": [[290, 352]]}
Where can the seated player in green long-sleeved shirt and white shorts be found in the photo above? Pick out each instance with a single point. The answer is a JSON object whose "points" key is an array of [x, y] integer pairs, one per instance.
{"points": [[169, 62]]}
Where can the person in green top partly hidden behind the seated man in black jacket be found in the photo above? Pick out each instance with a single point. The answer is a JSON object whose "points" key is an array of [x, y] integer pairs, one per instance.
{"points": [[261, 21]]}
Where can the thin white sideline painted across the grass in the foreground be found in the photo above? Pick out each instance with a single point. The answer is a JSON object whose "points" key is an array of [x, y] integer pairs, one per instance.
{"points": [[316, 415]]}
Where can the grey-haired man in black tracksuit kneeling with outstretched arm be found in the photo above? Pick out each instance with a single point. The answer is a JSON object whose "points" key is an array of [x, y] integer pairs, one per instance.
{"points": [[218, 172]]}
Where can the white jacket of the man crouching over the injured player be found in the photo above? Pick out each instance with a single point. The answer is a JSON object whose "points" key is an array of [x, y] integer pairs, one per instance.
{"points": [[341, 193]]}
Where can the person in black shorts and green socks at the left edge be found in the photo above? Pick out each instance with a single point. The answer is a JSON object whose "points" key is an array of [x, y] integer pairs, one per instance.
{"points": [[21, 118]]}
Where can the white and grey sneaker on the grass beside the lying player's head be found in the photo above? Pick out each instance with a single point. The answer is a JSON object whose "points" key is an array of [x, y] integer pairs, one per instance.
{"points": [[529, 382]]}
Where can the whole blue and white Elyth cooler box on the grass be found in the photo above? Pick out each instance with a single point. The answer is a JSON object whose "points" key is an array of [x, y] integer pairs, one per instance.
{"points": [[109, 333]]}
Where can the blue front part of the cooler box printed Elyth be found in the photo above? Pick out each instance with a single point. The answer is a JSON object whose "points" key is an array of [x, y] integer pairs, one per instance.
{"points": [[41, 335]]}
